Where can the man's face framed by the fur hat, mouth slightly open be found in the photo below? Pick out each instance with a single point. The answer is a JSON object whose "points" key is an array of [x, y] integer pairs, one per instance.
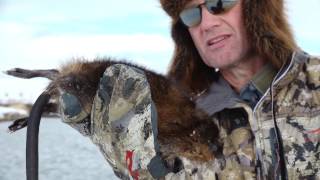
{"points": [[221, 39]]}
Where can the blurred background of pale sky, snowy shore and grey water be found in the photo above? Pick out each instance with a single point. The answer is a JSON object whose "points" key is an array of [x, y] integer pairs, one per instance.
{"points": [[44, 34]]}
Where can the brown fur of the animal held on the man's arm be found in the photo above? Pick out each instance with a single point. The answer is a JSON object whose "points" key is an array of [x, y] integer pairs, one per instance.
{"points": [[183, 130]]}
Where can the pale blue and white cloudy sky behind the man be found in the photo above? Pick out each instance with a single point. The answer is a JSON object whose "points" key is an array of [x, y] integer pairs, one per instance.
{"points": [[46, 33]]}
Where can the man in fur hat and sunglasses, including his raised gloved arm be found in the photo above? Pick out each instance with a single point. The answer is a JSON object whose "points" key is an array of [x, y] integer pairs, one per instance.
{"points": [[238, 61]]}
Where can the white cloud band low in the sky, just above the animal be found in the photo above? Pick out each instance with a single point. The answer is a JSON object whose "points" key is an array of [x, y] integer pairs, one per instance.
{"points": [[20, 48]]}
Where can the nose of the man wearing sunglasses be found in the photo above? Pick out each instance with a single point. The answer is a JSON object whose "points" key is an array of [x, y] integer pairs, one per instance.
{"points": [[208, 20]]}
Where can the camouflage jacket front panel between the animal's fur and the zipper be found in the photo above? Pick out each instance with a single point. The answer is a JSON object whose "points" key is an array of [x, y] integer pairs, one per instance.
{"points": [[238, 144]]}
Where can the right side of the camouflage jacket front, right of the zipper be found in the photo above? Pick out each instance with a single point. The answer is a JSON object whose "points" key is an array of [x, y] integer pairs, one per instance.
{"points": [[296, 102]]}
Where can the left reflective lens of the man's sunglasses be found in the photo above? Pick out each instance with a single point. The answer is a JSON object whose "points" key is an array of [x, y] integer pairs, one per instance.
{"points": [[191, 16]]}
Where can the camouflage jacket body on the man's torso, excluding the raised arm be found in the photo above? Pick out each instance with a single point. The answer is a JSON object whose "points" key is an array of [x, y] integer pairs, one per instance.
{"points": [[284, 126]]}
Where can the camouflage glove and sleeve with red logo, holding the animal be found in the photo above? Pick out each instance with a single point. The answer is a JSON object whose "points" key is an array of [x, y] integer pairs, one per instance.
{"points": [[124, 126]]}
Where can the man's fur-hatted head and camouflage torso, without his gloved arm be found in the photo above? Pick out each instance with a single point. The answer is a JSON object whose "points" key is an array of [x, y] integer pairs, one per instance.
{"points": [[240, 62]]}
